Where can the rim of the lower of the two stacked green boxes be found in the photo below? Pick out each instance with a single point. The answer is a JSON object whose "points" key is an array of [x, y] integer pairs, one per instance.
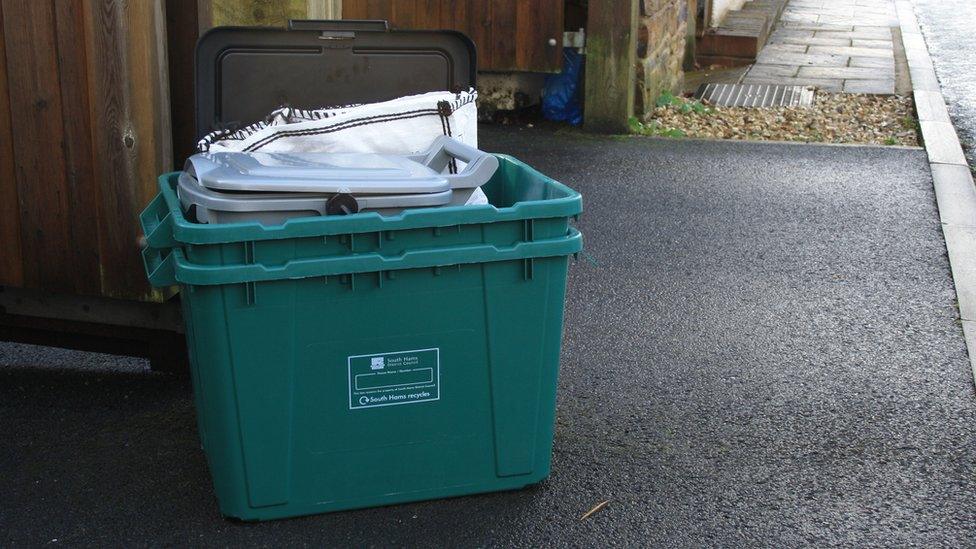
{"points": [[164, 269]]}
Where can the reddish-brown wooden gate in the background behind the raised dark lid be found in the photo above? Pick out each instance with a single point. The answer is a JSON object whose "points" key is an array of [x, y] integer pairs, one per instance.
{"points": [[511, 35]]}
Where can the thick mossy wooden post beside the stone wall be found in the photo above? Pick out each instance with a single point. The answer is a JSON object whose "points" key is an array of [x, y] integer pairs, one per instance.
{"points": [[611, 47]]}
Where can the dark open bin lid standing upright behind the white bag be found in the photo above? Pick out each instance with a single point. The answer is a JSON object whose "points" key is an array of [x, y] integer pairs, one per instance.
{"points": [[243, 73]]}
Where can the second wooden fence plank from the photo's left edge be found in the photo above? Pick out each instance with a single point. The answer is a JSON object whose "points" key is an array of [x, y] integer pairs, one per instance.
{"points": [[39, 163]]}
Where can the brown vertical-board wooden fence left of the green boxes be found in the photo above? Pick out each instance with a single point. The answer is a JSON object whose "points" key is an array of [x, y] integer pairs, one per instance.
{"points": [[84, 132]]}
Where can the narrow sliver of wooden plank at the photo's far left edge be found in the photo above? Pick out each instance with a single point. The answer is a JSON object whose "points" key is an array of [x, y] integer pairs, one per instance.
{"points": [[11, 267]]}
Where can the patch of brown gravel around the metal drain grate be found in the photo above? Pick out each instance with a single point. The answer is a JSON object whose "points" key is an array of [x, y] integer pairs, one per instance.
{"points": [[833, 118]]}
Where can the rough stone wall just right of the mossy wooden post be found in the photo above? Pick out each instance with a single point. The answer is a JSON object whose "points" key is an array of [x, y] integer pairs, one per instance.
{"points": [[660, 50]]}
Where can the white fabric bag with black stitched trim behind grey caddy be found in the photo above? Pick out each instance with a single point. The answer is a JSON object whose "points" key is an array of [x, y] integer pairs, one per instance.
{"points": [[406, 125]]}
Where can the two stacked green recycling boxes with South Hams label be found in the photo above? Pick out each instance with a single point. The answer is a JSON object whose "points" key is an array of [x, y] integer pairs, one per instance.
{"points": [[344, 362]]}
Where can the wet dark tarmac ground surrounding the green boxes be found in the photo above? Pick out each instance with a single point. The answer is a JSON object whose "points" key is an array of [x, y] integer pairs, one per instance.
{"points": [[762, 350]]}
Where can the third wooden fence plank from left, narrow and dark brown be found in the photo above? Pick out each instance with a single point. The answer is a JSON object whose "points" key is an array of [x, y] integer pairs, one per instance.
{"points": [[81, 187]]}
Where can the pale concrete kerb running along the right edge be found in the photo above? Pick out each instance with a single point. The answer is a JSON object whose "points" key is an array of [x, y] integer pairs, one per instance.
{"points": [[954, 189]]}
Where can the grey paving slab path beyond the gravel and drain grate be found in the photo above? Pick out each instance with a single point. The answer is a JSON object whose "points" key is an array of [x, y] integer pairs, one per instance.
{"points": [[836, 45]]}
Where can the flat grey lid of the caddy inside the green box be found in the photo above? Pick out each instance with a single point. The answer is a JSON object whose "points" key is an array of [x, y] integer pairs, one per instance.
{"points": [[323, 173]]}
